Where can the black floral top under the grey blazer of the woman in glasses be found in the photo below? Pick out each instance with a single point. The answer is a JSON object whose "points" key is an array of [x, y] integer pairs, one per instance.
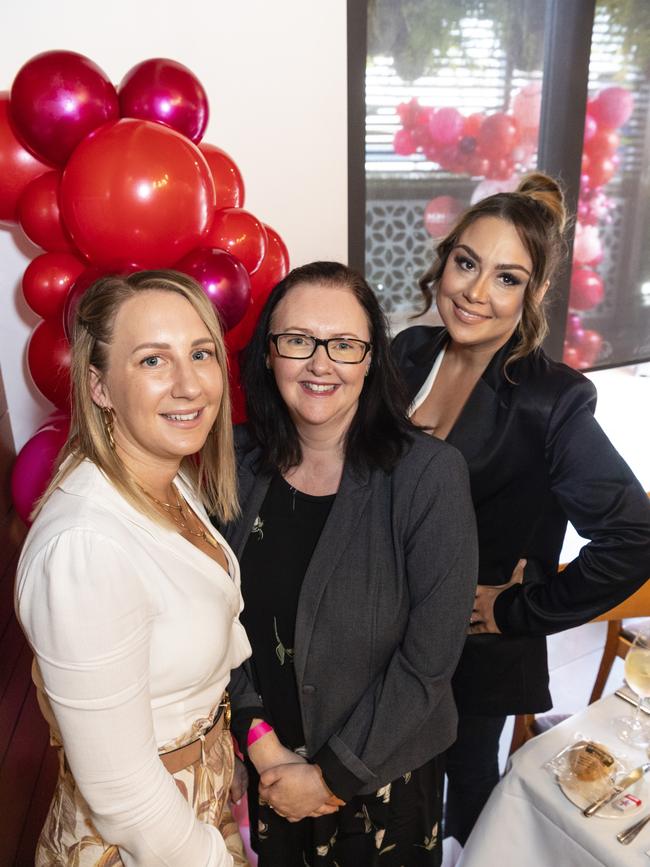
{"points": [[273, 566]]}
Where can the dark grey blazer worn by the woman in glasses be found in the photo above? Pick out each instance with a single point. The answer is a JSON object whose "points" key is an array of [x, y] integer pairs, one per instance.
{"points": [[382, 614]]}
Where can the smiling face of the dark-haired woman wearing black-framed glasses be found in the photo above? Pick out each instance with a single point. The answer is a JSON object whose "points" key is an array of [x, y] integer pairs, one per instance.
{"points": [[320, 394]]}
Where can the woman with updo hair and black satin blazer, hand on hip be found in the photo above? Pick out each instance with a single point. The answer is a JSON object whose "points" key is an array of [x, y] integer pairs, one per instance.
{"points": [[536, 457]]}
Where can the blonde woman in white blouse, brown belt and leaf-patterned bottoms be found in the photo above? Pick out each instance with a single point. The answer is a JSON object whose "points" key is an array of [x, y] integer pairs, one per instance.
{"points": [[128, 596]]}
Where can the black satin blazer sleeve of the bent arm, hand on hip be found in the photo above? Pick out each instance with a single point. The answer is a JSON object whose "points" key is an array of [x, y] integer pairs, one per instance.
{"points": [[599, 494]]}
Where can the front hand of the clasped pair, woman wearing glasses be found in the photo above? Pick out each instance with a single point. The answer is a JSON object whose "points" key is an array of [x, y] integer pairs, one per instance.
{"points": [[294, 791]]}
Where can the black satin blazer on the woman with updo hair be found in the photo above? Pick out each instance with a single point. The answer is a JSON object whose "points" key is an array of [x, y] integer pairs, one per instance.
{"points": [[537, 458]]}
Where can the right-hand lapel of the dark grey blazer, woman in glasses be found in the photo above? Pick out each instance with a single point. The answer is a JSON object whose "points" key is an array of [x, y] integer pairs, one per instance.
{"points": [[340, 527]]}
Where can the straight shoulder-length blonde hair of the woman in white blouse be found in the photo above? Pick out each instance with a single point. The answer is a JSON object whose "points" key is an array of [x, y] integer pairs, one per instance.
{"points": [[213, 475]]}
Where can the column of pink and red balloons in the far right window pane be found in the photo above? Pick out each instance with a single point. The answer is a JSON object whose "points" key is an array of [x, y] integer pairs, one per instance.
{"points": [[609, 110]]}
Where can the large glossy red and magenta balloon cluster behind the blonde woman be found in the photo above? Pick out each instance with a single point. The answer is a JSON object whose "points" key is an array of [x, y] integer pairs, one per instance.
{"points": [[112, 179]]}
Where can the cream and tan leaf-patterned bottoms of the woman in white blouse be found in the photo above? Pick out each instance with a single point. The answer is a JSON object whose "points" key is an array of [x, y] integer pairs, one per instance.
{"points": [[69, 838]]}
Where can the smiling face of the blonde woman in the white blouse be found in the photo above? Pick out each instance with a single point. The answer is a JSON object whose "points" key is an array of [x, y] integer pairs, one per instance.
{"points": [[162, 381]]}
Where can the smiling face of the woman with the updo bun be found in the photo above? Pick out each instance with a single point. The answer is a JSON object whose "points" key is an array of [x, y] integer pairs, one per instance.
{"points": [[481, 292]]}
